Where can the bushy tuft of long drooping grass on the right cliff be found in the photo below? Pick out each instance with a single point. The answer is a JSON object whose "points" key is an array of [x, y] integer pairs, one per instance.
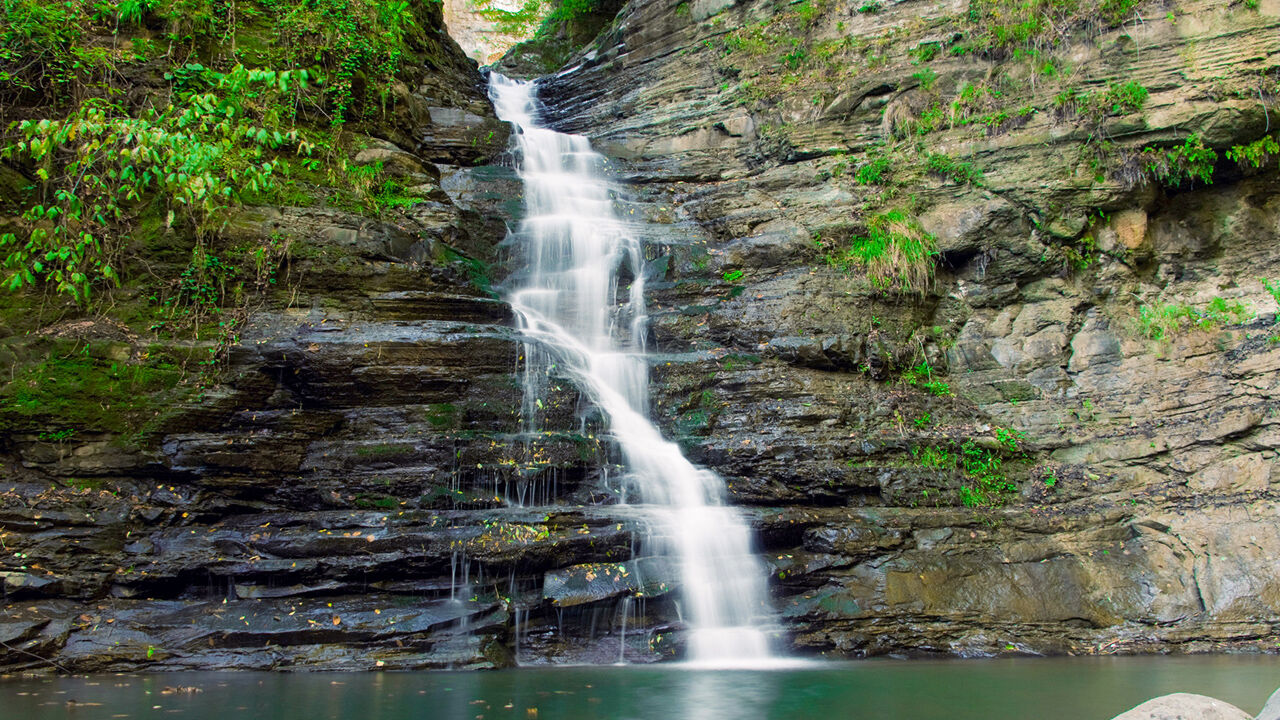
{"points": [[895, 252]]}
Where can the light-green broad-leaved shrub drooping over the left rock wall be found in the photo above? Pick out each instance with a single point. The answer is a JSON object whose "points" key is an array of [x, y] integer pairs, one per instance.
{"points": [[100, 168]]}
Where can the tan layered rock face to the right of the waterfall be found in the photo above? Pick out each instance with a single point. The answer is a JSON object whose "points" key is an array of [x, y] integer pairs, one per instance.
{"points": [[1145, 518]]}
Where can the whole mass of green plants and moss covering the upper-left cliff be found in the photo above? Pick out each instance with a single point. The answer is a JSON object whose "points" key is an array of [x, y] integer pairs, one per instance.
{"points": [[111, 168]]}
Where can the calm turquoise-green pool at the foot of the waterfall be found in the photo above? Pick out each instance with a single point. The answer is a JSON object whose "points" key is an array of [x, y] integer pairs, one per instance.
{"points": [[884, 690]]}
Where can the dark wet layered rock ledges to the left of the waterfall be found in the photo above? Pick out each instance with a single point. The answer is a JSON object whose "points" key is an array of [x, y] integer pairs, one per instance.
{"points": [[349, 490]]}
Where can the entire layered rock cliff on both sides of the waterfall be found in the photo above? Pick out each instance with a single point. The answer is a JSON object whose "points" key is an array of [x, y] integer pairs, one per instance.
{"points": [[356, 490]]}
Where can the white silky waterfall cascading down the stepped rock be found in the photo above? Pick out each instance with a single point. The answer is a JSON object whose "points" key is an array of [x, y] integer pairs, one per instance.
{"points": [[568, 302]]}
